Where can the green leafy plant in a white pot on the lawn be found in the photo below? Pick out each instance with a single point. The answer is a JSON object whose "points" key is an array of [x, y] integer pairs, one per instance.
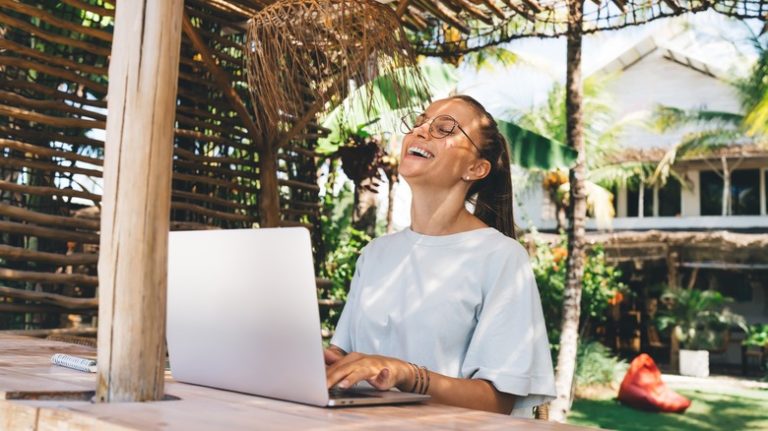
{"points": [[700, 321]]}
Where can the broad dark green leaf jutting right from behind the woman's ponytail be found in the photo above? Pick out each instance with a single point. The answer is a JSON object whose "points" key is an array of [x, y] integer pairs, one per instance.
{"points": [[531, 150]]}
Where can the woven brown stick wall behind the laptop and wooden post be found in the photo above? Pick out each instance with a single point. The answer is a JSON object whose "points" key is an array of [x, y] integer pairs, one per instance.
{"points": [[54, 59]]}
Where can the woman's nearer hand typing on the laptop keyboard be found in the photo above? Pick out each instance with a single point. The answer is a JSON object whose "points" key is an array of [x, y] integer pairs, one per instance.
{"points": [[381, 372]]}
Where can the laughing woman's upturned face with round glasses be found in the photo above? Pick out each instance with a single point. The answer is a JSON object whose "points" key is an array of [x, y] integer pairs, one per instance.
{"points": [[442, 161]]}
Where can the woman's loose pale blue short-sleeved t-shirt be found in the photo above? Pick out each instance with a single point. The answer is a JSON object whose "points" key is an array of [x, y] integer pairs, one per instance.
{"points": [[463, 305]]}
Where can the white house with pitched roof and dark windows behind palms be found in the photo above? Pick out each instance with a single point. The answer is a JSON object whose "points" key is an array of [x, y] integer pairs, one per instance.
{"points": [[647, 75]]}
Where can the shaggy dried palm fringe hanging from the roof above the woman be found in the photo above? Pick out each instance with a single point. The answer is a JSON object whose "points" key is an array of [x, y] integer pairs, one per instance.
{"points": [[301, 51]]}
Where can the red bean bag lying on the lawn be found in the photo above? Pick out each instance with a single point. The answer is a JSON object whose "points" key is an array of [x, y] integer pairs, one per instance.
{"points": [[643, 389]]}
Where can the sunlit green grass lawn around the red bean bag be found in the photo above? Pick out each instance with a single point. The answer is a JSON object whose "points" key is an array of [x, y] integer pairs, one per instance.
{"points": [[712, 409]]}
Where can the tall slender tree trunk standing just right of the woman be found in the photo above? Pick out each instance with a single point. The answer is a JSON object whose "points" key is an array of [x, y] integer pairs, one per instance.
{"points": [[577, 212]]}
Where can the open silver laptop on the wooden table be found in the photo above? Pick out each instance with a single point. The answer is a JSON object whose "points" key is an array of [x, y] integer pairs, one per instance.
{"points": [[243, 316]]}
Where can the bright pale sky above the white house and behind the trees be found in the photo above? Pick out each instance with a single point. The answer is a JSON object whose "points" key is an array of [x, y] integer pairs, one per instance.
{"points": [[712, 38]]}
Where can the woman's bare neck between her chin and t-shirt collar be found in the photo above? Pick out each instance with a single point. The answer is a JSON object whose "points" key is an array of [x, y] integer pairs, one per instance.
{"points": [[440, 211]]}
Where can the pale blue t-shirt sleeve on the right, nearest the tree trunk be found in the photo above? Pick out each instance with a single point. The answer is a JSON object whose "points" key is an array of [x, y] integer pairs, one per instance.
{"points": [[509, 346]]}
